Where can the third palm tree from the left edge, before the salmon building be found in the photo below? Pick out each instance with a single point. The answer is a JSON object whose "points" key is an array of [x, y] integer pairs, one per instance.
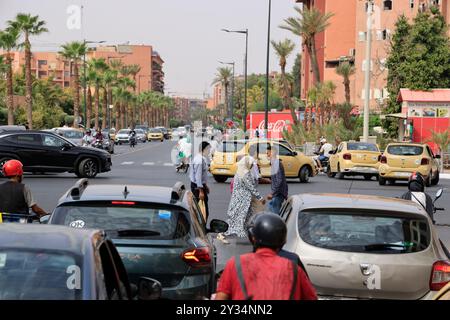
{"points": [[73, 51]]}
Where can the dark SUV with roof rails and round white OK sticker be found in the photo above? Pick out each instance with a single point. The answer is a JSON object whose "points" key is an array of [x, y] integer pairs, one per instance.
{"points": [[159, 233]]}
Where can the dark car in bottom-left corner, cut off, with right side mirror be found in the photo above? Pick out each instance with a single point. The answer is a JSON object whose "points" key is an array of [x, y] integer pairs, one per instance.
{"points": [[39, 262]]}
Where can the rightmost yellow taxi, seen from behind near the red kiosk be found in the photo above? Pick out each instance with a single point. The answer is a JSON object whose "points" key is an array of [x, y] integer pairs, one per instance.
{"points": [[400, 160]]}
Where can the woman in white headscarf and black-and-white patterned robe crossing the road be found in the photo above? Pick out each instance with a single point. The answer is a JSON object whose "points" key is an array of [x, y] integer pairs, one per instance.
{"points": [[244, 189]]}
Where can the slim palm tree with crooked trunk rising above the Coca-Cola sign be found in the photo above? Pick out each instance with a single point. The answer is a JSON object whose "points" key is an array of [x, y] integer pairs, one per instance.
{"points": [[283, 49]]}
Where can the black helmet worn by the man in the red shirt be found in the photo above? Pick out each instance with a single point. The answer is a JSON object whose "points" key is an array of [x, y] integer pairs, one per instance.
{"points": [[268, 230]]}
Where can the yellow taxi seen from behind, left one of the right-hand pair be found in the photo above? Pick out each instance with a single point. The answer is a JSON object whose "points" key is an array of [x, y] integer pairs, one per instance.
{"points": [[356, 159]]}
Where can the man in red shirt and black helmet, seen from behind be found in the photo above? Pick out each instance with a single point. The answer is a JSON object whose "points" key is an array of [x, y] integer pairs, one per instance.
{"points": [[264, 275]]}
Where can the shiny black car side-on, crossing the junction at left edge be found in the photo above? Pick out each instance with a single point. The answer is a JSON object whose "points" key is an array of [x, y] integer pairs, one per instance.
{"points": [[42, 152]]}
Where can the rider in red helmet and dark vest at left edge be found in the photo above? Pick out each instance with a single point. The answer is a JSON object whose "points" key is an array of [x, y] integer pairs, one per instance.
{"points": [[15, 197]]}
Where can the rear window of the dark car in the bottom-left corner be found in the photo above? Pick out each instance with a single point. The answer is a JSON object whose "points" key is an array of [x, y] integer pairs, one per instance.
{"points": [[39, 275]]}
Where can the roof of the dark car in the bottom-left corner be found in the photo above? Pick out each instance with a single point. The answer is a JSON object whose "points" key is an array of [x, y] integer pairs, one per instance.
{"points": [[47, 237]]}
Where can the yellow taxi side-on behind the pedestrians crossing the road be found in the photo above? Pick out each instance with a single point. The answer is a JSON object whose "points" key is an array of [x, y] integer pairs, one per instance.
{"points": [[296, 165]]}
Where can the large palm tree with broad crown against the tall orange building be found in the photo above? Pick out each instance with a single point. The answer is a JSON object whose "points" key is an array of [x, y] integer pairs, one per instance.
{"points": [[310, 23]]}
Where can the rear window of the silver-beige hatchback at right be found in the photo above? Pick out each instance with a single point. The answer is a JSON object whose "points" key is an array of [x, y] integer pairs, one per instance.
{"points": [[363, 232]]}
